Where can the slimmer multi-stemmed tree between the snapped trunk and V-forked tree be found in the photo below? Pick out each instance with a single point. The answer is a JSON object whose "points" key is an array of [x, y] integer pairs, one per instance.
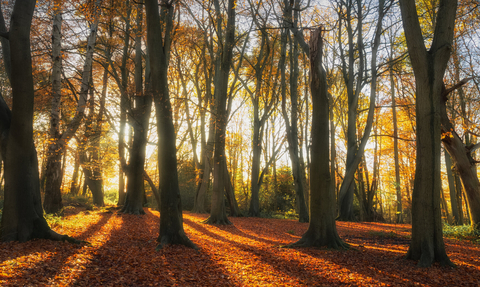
{"points": [[354, 82]]}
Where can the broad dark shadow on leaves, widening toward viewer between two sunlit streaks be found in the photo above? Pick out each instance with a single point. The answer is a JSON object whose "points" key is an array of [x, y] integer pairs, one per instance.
{"points": [[129, 258]]}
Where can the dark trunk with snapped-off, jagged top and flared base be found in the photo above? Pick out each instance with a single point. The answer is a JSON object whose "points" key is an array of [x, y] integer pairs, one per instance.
{"points": [[322, 230]]}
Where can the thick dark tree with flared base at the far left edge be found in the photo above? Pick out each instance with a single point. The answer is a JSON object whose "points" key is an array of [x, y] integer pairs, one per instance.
{"points": [[22, 217]]}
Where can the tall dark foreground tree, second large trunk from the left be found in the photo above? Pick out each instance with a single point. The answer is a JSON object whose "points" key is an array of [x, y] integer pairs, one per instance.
{"points": [[159, 29]]}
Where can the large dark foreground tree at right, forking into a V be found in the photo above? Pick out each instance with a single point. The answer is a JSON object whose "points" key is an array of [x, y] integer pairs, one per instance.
{"points": [[429, 66]]}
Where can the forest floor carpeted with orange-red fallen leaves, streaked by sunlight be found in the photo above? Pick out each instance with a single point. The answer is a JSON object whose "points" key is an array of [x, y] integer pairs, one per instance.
{"points": [[248, 253]]}
